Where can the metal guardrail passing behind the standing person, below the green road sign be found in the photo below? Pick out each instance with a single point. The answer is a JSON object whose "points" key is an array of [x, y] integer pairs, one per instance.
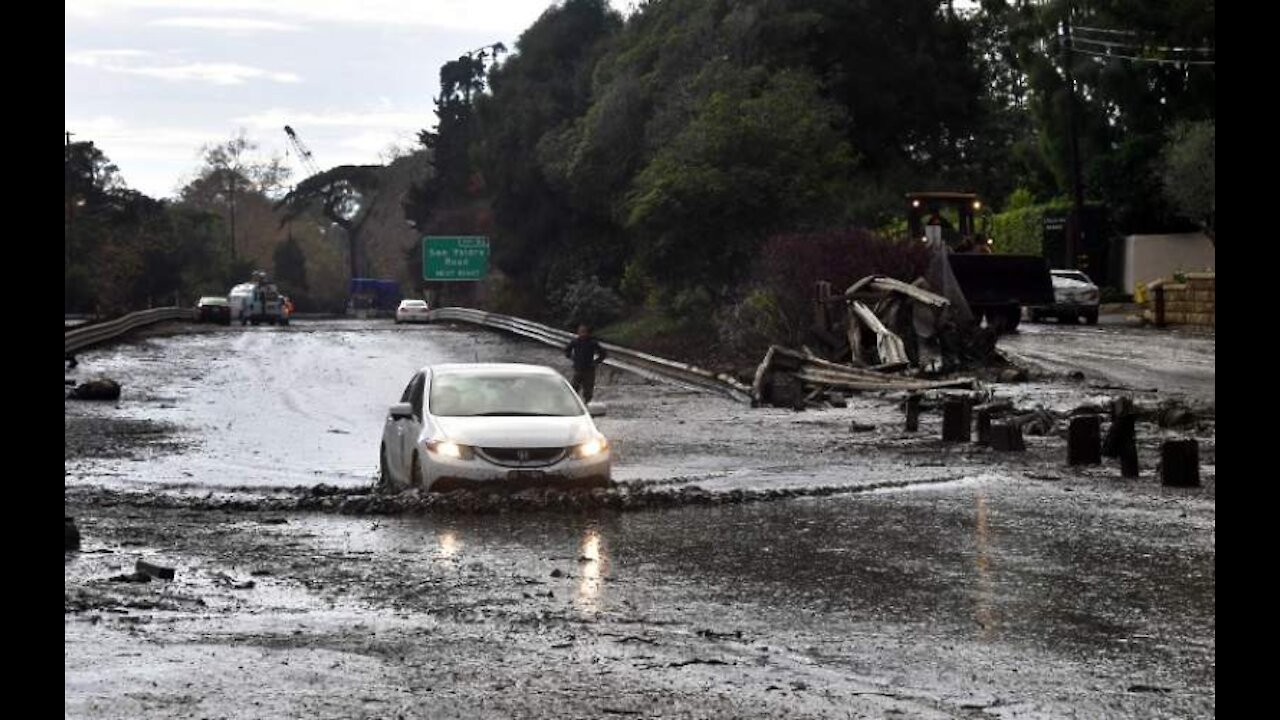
{"points": [[623, 358]]}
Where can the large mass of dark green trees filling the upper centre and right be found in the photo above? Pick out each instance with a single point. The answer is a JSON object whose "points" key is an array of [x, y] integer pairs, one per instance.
{"points": [[659, 153]]}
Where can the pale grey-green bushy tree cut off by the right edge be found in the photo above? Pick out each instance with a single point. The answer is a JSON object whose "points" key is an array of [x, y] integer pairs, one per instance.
{"points": [[1188, 174]]}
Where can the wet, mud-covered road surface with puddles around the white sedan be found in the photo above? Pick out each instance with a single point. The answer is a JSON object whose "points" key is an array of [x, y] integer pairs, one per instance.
{"points": [[737, 573]]}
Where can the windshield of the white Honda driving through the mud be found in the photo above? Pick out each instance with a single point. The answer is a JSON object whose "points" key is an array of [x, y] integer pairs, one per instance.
{"points": [[511, 395]]}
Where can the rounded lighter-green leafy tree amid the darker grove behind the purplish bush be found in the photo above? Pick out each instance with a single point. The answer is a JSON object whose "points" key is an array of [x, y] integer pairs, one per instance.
{"points": [[764, 154]]}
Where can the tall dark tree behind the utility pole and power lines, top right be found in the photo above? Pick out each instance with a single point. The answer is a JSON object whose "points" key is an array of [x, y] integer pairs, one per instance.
{"points": [[1140, 67]]}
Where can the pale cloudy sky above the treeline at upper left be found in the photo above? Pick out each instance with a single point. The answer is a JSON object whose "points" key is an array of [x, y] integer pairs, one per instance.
{"points": [[152, 81]]}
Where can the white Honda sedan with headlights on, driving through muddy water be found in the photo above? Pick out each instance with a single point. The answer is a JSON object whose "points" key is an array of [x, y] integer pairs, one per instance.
{"points": [[492, 426]]}
